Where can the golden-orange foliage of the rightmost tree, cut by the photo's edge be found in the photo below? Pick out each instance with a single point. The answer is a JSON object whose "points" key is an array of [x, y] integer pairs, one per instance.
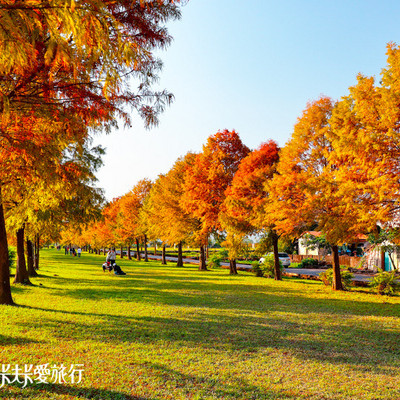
{"points": [[366, 139]]}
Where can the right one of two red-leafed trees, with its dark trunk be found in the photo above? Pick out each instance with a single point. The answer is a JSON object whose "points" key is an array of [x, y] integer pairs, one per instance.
{"points": [[244, 206]]}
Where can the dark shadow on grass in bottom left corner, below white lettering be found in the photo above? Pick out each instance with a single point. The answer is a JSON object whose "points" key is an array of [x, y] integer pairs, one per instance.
{"points": [[45, 391]]}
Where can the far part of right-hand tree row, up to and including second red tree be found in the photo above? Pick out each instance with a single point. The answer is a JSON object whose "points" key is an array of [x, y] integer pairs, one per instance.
{"points": [[220, 191]]}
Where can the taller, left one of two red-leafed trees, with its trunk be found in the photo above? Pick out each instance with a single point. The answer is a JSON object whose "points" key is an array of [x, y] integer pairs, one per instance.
{"points": [[208, 178]]}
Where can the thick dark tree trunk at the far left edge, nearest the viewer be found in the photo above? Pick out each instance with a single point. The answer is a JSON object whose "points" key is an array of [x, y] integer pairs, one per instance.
{"points": [[5, 287]]}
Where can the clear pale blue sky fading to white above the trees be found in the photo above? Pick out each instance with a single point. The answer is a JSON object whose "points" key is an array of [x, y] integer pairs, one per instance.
{"points": [[251, 66]]}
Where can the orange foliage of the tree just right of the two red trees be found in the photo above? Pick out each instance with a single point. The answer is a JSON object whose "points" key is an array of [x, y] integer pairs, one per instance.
{"points": [[304, 190]]}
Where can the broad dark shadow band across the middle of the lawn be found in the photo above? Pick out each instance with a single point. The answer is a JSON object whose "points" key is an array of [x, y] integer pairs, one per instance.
{"points": [[369, 349]]}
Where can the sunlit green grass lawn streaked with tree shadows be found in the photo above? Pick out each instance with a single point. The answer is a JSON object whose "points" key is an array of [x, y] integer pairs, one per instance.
{"points": [[163, 332]]}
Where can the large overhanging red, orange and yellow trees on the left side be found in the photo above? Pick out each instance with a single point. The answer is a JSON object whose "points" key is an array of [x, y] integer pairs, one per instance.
{"points": [[67, 70]]}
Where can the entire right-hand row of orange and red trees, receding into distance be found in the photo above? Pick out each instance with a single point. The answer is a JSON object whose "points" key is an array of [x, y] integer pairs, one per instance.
{"points": [[339, 171]]}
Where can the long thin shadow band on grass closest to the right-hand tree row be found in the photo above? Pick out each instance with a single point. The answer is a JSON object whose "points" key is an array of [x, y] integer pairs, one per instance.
{"points": [[225, 295]]}
